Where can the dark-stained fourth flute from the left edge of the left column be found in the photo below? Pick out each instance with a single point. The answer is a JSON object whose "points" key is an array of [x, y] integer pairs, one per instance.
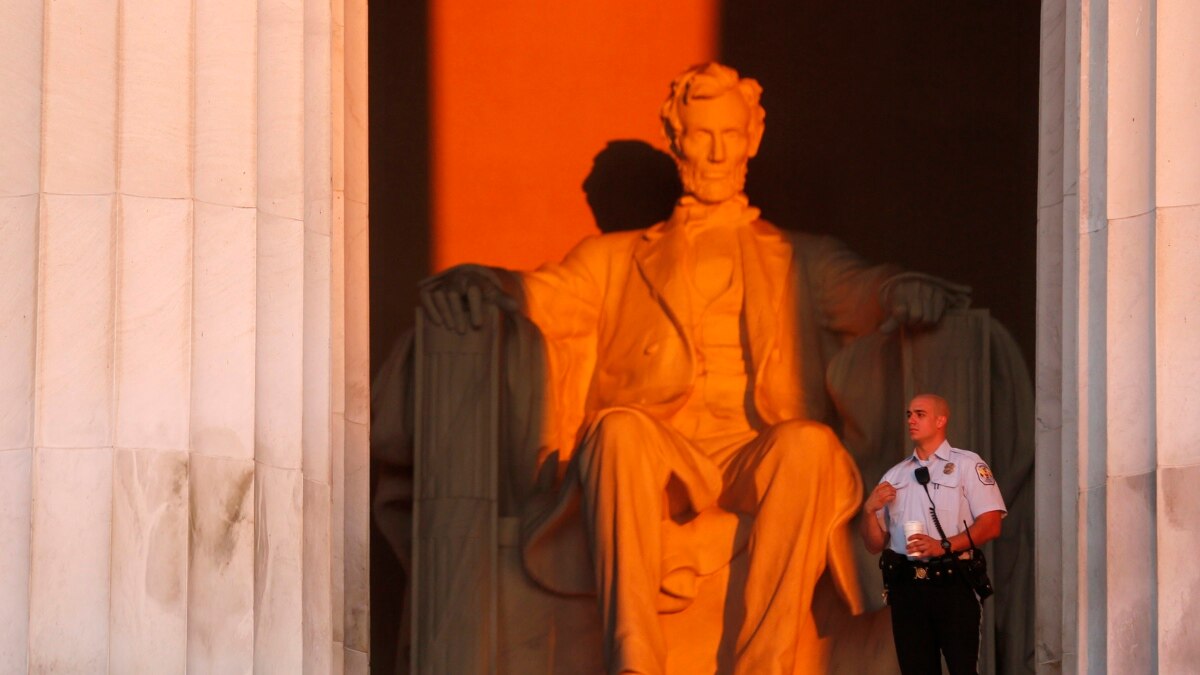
{"points": [[221, 477]]}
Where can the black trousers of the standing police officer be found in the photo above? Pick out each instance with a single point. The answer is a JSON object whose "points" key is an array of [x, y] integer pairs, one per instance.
{"points": [[927, 620]]}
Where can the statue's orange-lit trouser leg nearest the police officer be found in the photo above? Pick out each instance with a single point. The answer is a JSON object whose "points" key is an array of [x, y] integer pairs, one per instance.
{"points": [[791, 479]]}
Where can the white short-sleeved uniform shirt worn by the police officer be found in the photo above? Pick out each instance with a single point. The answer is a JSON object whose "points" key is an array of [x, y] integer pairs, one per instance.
{"points": [[961, 485]]}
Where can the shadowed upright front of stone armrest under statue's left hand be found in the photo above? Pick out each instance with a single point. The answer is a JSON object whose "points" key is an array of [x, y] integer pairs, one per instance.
{"points": [[455, 510]]}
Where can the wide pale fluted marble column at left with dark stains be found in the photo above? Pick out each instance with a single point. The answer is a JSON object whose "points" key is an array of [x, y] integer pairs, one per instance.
{"points": [[183, 331]]}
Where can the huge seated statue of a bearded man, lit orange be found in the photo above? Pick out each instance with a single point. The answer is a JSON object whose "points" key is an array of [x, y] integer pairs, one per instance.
{"points": [[689, 367]]}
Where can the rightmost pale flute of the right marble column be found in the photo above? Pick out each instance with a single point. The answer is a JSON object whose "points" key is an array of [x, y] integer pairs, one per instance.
{"points": [[1178, 328]]}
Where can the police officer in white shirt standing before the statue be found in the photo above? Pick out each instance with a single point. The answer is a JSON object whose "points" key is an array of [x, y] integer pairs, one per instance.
{"points": [[934, 608]]}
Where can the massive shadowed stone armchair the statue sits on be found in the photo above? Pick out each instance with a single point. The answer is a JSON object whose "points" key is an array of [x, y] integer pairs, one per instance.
{"points": [[458, 434]]}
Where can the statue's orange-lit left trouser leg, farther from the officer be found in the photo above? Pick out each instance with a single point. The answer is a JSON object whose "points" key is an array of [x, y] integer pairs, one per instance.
{"points": [[625, 473]]}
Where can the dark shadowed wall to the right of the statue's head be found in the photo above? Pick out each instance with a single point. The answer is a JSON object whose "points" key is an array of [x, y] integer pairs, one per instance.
{"points": [[909, 130]]}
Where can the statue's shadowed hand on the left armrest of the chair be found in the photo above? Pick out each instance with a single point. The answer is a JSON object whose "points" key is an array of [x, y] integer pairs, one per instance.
{"points": [[457, 297]]}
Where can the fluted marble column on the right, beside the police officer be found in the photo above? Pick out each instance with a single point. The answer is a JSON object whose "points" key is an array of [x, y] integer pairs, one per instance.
{"points": [[1119, 343]]}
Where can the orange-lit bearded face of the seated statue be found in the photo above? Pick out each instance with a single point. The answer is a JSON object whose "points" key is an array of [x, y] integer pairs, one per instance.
{"points": [[716, 146]]}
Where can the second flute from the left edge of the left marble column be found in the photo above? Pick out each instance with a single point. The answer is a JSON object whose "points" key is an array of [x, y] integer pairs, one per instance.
{"points": [[75, 390]]}
